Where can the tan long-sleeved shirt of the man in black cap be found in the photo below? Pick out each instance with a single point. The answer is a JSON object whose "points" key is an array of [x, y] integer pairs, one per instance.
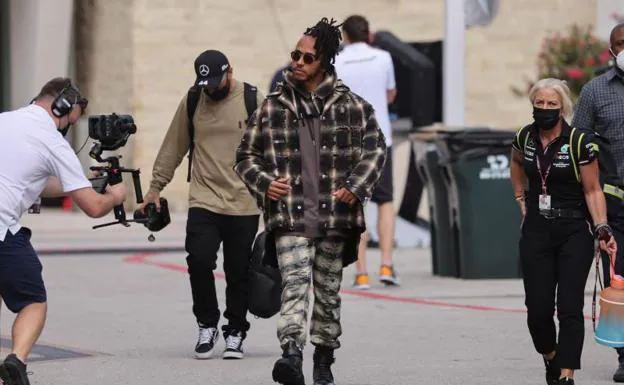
{"points": [[219, 127]]}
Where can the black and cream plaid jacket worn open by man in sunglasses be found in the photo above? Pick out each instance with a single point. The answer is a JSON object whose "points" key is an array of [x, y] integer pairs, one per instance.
{"points": [[352, 155]]}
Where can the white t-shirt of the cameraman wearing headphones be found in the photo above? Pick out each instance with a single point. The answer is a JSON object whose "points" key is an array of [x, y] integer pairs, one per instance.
{"points": [[31, 151]]}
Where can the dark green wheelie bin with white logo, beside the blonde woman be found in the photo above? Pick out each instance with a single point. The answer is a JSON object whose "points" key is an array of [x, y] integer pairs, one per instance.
{"points": [[485, 219]]}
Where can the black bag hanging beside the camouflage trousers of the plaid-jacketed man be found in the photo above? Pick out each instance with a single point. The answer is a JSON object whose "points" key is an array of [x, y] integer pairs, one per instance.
{"points": [[265, 281]]}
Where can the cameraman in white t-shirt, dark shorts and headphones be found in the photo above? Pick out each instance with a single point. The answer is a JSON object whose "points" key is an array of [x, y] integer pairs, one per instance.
{"points": [[36, 161]]}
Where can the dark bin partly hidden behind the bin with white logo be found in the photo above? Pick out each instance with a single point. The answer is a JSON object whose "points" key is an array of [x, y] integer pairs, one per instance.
{"points": [[444, 262]]}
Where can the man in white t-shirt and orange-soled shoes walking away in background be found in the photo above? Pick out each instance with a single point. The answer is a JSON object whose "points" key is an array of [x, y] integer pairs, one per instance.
{"points": [[369, 72]]}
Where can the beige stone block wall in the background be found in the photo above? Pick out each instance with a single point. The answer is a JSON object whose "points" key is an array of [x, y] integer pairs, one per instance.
{"points": [[166, 35]]}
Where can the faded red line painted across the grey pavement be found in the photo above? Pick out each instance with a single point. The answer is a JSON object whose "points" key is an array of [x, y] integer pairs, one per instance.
{"points": [[143, 259]]}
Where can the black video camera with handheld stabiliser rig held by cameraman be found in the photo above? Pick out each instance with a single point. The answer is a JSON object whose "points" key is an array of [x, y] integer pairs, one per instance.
{"points": [[111, 132]]}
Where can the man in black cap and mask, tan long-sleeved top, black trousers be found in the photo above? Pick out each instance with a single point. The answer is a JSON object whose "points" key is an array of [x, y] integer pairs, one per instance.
{"points": [[208, 124]]}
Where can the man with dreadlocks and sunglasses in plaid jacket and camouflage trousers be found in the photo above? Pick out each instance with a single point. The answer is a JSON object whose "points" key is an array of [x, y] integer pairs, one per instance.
{"points": [[311, 157]]}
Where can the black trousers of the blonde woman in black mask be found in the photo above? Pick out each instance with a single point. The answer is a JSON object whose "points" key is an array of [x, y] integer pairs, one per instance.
{"points": [[556, 256]]}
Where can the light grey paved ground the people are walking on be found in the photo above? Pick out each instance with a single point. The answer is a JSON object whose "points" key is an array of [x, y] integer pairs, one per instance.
{"points": [[125, 318]]}
